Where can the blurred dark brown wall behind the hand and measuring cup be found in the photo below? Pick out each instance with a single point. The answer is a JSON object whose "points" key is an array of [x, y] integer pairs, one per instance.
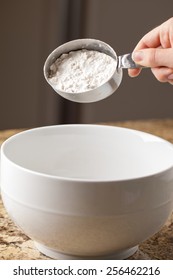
{"points": [[30, 30]]}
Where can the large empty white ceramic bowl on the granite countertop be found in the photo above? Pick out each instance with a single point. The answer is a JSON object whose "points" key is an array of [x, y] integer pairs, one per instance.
{"points": [[87, 191]]}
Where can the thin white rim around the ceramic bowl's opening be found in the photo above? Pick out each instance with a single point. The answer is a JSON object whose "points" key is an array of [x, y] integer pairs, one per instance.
{"points": [[84, 180]]}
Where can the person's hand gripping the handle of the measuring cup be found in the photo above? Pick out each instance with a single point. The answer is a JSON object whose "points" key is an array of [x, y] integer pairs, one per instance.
{"points": [[155, 50]]}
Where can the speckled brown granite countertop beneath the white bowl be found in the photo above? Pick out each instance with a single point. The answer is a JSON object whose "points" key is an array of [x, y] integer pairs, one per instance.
{"points": [[15, 245]]}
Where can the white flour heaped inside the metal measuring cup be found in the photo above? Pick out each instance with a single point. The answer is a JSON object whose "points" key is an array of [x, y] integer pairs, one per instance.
{"points": [[82, 70]]}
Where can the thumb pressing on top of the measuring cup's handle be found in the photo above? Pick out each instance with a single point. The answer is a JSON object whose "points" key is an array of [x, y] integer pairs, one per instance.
{"points": [[154, 57]]}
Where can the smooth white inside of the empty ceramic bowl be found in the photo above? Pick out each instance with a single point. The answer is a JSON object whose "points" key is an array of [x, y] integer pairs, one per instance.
{"points": [[89, 152]]}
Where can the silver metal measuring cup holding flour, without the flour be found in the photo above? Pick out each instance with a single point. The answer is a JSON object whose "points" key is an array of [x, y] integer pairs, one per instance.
{"points": [[104, 90]]}
